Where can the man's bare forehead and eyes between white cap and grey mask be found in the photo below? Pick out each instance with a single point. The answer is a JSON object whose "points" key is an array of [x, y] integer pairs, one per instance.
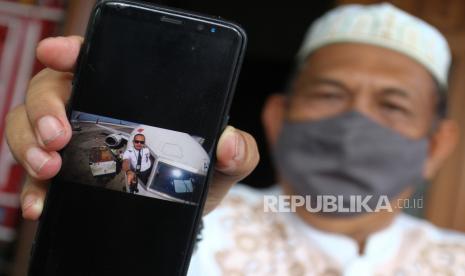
{"points": [[386, 86]]}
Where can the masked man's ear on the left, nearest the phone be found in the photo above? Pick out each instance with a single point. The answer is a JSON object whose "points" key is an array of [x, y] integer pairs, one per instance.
{"points": [[273, 115]]}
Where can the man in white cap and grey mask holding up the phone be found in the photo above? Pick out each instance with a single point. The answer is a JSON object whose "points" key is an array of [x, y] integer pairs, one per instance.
{"points": [[363, 117]]}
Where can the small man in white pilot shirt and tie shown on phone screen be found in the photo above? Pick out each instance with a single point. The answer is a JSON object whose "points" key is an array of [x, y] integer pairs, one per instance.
{"points": [[136, 162]]}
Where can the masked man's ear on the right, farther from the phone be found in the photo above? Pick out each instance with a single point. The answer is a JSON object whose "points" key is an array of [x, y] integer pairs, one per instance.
{"points": [[442, 144]]}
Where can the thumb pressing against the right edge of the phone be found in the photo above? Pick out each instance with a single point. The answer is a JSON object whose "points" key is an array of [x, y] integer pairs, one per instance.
{"points": [[237, 155]]}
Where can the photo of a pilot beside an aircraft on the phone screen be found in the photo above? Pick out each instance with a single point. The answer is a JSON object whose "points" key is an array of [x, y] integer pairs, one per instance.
{"points": [[134, 158]]}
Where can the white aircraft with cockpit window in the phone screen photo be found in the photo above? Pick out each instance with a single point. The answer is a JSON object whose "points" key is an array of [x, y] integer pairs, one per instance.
{"points": [[180, 163]]}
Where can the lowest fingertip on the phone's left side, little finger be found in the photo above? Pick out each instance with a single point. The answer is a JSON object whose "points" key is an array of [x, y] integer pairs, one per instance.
{"points": [[33, 197]]}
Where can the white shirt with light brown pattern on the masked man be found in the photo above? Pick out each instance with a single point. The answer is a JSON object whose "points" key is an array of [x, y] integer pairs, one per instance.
{"points": [[239, 238]]}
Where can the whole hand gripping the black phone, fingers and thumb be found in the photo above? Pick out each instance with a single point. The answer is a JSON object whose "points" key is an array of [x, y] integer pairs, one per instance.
{"points": [[39, 128]]}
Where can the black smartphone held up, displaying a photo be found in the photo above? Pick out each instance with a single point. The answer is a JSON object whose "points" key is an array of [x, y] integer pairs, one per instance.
{"points": [[151, 94]]}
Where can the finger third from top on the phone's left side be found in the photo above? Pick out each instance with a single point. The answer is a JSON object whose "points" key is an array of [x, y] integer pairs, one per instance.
{"points": [[38, 163]]}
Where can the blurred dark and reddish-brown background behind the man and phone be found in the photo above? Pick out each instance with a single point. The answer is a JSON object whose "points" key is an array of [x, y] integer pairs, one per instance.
{"points": [[275, 31]]}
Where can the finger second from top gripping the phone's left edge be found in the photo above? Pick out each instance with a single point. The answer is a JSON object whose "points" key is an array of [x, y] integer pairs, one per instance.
{"points": [[45, 105]]}
